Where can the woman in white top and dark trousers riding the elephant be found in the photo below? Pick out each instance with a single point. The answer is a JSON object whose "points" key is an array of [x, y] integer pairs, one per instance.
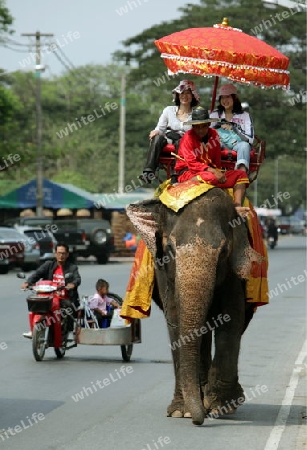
{"points": [[170, 127]]}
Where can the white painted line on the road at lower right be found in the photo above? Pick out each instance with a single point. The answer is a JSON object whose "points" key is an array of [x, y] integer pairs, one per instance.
{"points": [[280, 424]]}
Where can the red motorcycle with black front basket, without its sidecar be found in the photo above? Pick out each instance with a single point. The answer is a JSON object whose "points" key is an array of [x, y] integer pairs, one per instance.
{"points": [[48, 321]]}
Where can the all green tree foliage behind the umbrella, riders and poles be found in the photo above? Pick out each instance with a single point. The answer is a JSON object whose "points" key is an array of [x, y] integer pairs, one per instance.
{"points": [[88, 156]]}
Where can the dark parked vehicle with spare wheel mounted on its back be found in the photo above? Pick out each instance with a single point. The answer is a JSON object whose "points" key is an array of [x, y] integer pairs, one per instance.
{"points": [[85, 237]]}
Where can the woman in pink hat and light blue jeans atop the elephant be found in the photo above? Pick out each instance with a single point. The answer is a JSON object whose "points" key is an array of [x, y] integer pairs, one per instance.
{"points": [[230, 111]]}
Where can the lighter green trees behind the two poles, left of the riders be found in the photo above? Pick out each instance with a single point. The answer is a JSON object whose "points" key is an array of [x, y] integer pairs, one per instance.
{"points": [[74, 148]]}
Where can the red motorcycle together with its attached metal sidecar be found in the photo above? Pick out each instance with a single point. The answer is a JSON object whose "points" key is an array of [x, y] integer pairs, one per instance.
{"points": [[49, 324]]}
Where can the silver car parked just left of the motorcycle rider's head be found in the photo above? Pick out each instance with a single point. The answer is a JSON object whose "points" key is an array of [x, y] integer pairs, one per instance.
{"points": [[45, 240]]}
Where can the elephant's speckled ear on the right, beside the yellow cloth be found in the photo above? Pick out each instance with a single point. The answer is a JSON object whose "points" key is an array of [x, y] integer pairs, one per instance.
{"points": [[242, 254]]}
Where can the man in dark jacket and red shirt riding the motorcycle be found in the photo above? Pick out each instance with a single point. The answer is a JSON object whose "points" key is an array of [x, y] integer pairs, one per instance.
{"points": [[62, 273]]}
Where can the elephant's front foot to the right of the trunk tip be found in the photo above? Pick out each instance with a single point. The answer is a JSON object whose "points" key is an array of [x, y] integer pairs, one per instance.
{"points": [[218, 404]]}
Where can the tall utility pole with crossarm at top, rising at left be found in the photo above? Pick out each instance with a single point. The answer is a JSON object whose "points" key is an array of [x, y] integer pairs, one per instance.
{"points": [[39, 164]]}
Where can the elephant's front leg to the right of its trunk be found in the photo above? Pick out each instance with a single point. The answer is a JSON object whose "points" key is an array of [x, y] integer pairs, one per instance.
{"points": [[223, 393]]}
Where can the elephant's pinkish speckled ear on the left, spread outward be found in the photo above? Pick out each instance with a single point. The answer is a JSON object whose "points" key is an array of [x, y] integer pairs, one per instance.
{"points": [[144, 216]]}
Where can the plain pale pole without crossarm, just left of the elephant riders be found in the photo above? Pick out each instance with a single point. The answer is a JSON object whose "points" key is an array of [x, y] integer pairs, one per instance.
{"points": [[122, 126]]}
